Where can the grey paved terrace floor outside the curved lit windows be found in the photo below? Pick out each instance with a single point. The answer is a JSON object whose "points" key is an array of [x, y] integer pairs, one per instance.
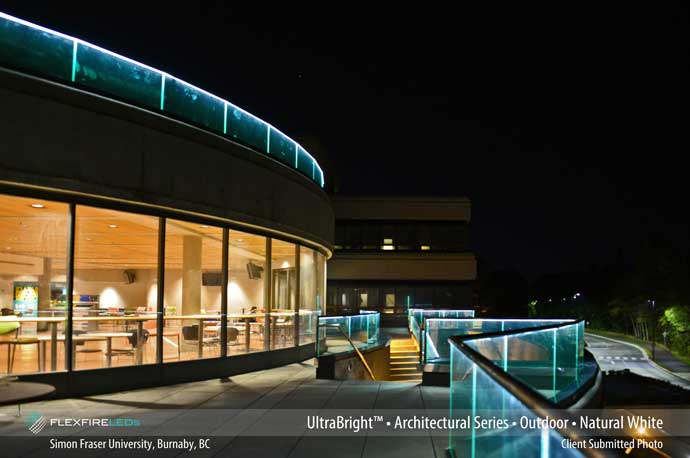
{"points": [[237, 414]]}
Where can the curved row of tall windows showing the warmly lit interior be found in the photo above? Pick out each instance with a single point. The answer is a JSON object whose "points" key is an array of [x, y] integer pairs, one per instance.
{"points": [[85, 287]]}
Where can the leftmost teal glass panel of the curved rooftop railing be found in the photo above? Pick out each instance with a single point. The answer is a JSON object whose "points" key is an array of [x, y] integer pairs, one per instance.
{"points": [[35, 50]]}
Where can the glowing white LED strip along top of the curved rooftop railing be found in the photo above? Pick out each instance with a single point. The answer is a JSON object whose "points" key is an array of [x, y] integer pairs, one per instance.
{"points": [[78, 41]]}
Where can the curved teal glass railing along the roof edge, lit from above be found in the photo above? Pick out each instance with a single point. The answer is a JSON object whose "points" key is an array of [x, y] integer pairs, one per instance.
{"points": [[43, 52]]}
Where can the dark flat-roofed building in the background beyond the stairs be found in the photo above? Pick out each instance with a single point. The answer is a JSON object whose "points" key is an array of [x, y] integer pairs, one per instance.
{"points": [[396, 253]]}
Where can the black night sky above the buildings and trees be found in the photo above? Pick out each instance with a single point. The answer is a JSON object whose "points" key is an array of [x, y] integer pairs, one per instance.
{"points": [[568, 128]]}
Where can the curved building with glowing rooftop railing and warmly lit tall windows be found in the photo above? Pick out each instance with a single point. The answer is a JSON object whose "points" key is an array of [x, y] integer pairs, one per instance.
{"points": [[150, 231]]}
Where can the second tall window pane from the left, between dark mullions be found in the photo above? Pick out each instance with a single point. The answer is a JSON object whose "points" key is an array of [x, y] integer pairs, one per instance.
{"points": [[115, 284]]}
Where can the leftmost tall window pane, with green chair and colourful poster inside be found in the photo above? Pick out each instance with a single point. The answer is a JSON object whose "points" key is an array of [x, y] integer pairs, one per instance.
{"points": [[33, 233]]}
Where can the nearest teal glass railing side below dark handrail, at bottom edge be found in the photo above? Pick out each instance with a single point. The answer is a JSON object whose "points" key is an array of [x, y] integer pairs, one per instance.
{"points": [[473, 392]]}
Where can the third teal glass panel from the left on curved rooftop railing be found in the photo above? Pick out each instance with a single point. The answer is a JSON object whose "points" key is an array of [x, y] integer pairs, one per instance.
{"points": [[192, 104]]}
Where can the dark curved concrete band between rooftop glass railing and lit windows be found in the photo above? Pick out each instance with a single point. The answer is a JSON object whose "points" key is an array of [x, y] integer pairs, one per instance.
{"points": [[61, 138]]}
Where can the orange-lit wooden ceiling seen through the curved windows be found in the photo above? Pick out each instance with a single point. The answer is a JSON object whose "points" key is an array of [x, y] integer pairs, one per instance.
{"points": [[109, 239]]}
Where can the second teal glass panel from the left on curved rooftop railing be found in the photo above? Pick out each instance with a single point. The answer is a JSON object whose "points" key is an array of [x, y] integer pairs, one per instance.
{"points": [[125, 79]]}
